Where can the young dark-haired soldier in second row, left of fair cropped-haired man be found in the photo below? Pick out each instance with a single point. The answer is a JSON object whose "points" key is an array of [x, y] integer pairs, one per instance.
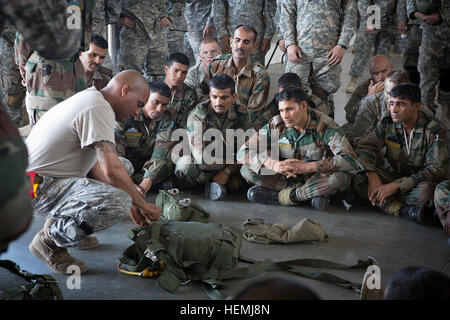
{"points": [[183, 98]]}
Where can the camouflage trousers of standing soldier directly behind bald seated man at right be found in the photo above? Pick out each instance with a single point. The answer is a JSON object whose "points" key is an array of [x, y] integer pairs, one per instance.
{"points": [[381, 39]]}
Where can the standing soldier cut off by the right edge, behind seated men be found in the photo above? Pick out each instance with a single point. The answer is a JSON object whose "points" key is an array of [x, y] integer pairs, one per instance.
{"points": [[434, 50]]}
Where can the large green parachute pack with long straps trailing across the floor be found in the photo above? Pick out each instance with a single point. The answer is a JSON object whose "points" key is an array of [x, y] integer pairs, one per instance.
{"points": [[179, 252]]}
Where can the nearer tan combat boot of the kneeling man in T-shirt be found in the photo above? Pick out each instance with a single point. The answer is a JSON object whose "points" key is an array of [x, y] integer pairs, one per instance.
{"points": [[56, 258]]}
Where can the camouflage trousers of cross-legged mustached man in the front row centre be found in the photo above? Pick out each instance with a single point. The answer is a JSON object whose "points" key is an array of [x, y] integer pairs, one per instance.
{"points": [[194, 174]]}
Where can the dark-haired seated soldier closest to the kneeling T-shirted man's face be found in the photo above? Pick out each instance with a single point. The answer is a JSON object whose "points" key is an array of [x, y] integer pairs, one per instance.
{"points": [[145, 139]]}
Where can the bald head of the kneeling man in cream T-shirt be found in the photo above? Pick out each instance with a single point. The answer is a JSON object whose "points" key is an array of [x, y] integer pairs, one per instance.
{"points": [[127, 92]]}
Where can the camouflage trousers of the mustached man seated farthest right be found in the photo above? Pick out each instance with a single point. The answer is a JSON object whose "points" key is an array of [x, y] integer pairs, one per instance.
{"points": [[421, 194]]}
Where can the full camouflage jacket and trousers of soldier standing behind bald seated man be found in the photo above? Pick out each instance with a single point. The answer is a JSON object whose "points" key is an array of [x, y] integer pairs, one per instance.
{"points": [[381, 38]]}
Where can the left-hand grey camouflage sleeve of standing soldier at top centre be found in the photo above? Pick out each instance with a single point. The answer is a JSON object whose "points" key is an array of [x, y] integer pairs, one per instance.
{"points": [[288, 22]]}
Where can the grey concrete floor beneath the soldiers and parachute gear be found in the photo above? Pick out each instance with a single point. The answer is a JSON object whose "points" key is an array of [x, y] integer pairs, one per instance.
{"points": [[355, 234]]}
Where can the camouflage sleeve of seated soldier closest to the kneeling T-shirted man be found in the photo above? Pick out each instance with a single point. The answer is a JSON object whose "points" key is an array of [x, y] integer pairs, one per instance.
{"points": [[161, 153]]}
